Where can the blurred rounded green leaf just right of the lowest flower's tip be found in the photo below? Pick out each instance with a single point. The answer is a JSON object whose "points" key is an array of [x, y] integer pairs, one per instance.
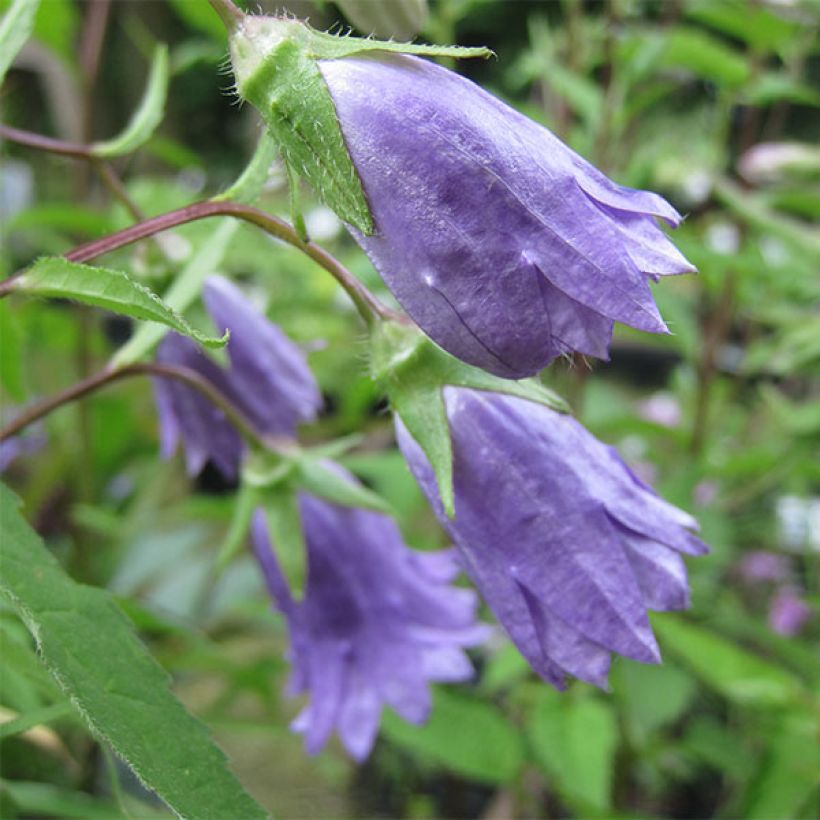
{"points": [[470, 737]]}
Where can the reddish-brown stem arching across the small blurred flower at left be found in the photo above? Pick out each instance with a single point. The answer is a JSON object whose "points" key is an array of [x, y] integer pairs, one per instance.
{"points": [[99, 380]]}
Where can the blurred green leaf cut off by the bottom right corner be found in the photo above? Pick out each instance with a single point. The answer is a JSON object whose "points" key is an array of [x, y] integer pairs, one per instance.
{"points": [[790, 771]]}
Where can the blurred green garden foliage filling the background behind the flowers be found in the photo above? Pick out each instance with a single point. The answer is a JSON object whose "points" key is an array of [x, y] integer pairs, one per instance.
{"points": [[714, 103]]}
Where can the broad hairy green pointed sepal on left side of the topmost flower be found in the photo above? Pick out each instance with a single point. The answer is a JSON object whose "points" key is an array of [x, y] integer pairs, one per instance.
{"points": [[289, 91]]}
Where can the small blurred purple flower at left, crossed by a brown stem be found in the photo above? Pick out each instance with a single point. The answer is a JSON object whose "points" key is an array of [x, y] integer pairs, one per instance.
{"points": [[268, 380]]}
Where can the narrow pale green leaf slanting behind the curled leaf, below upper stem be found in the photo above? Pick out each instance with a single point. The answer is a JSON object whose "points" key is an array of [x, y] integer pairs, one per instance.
{"points": [[186, 288]]}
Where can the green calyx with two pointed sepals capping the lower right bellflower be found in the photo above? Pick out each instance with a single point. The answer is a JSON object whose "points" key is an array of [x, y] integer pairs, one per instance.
{"points": [[412, 370]]}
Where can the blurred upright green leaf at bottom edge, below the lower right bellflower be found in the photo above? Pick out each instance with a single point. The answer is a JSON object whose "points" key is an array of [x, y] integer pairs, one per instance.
{"points": [[575, 741]]}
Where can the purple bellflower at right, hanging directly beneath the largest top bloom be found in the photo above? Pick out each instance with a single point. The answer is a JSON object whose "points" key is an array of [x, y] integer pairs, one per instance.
{"points": [[568, 547]]}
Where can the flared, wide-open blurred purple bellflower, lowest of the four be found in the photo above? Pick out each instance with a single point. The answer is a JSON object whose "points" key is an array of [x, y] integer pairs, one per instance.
{"points": [[377, 623]]}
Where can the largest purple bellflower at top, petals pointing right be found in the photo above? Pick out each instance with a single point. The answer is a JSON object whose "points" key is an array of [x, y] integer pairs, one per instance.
{"points": [[506, 247]]}
